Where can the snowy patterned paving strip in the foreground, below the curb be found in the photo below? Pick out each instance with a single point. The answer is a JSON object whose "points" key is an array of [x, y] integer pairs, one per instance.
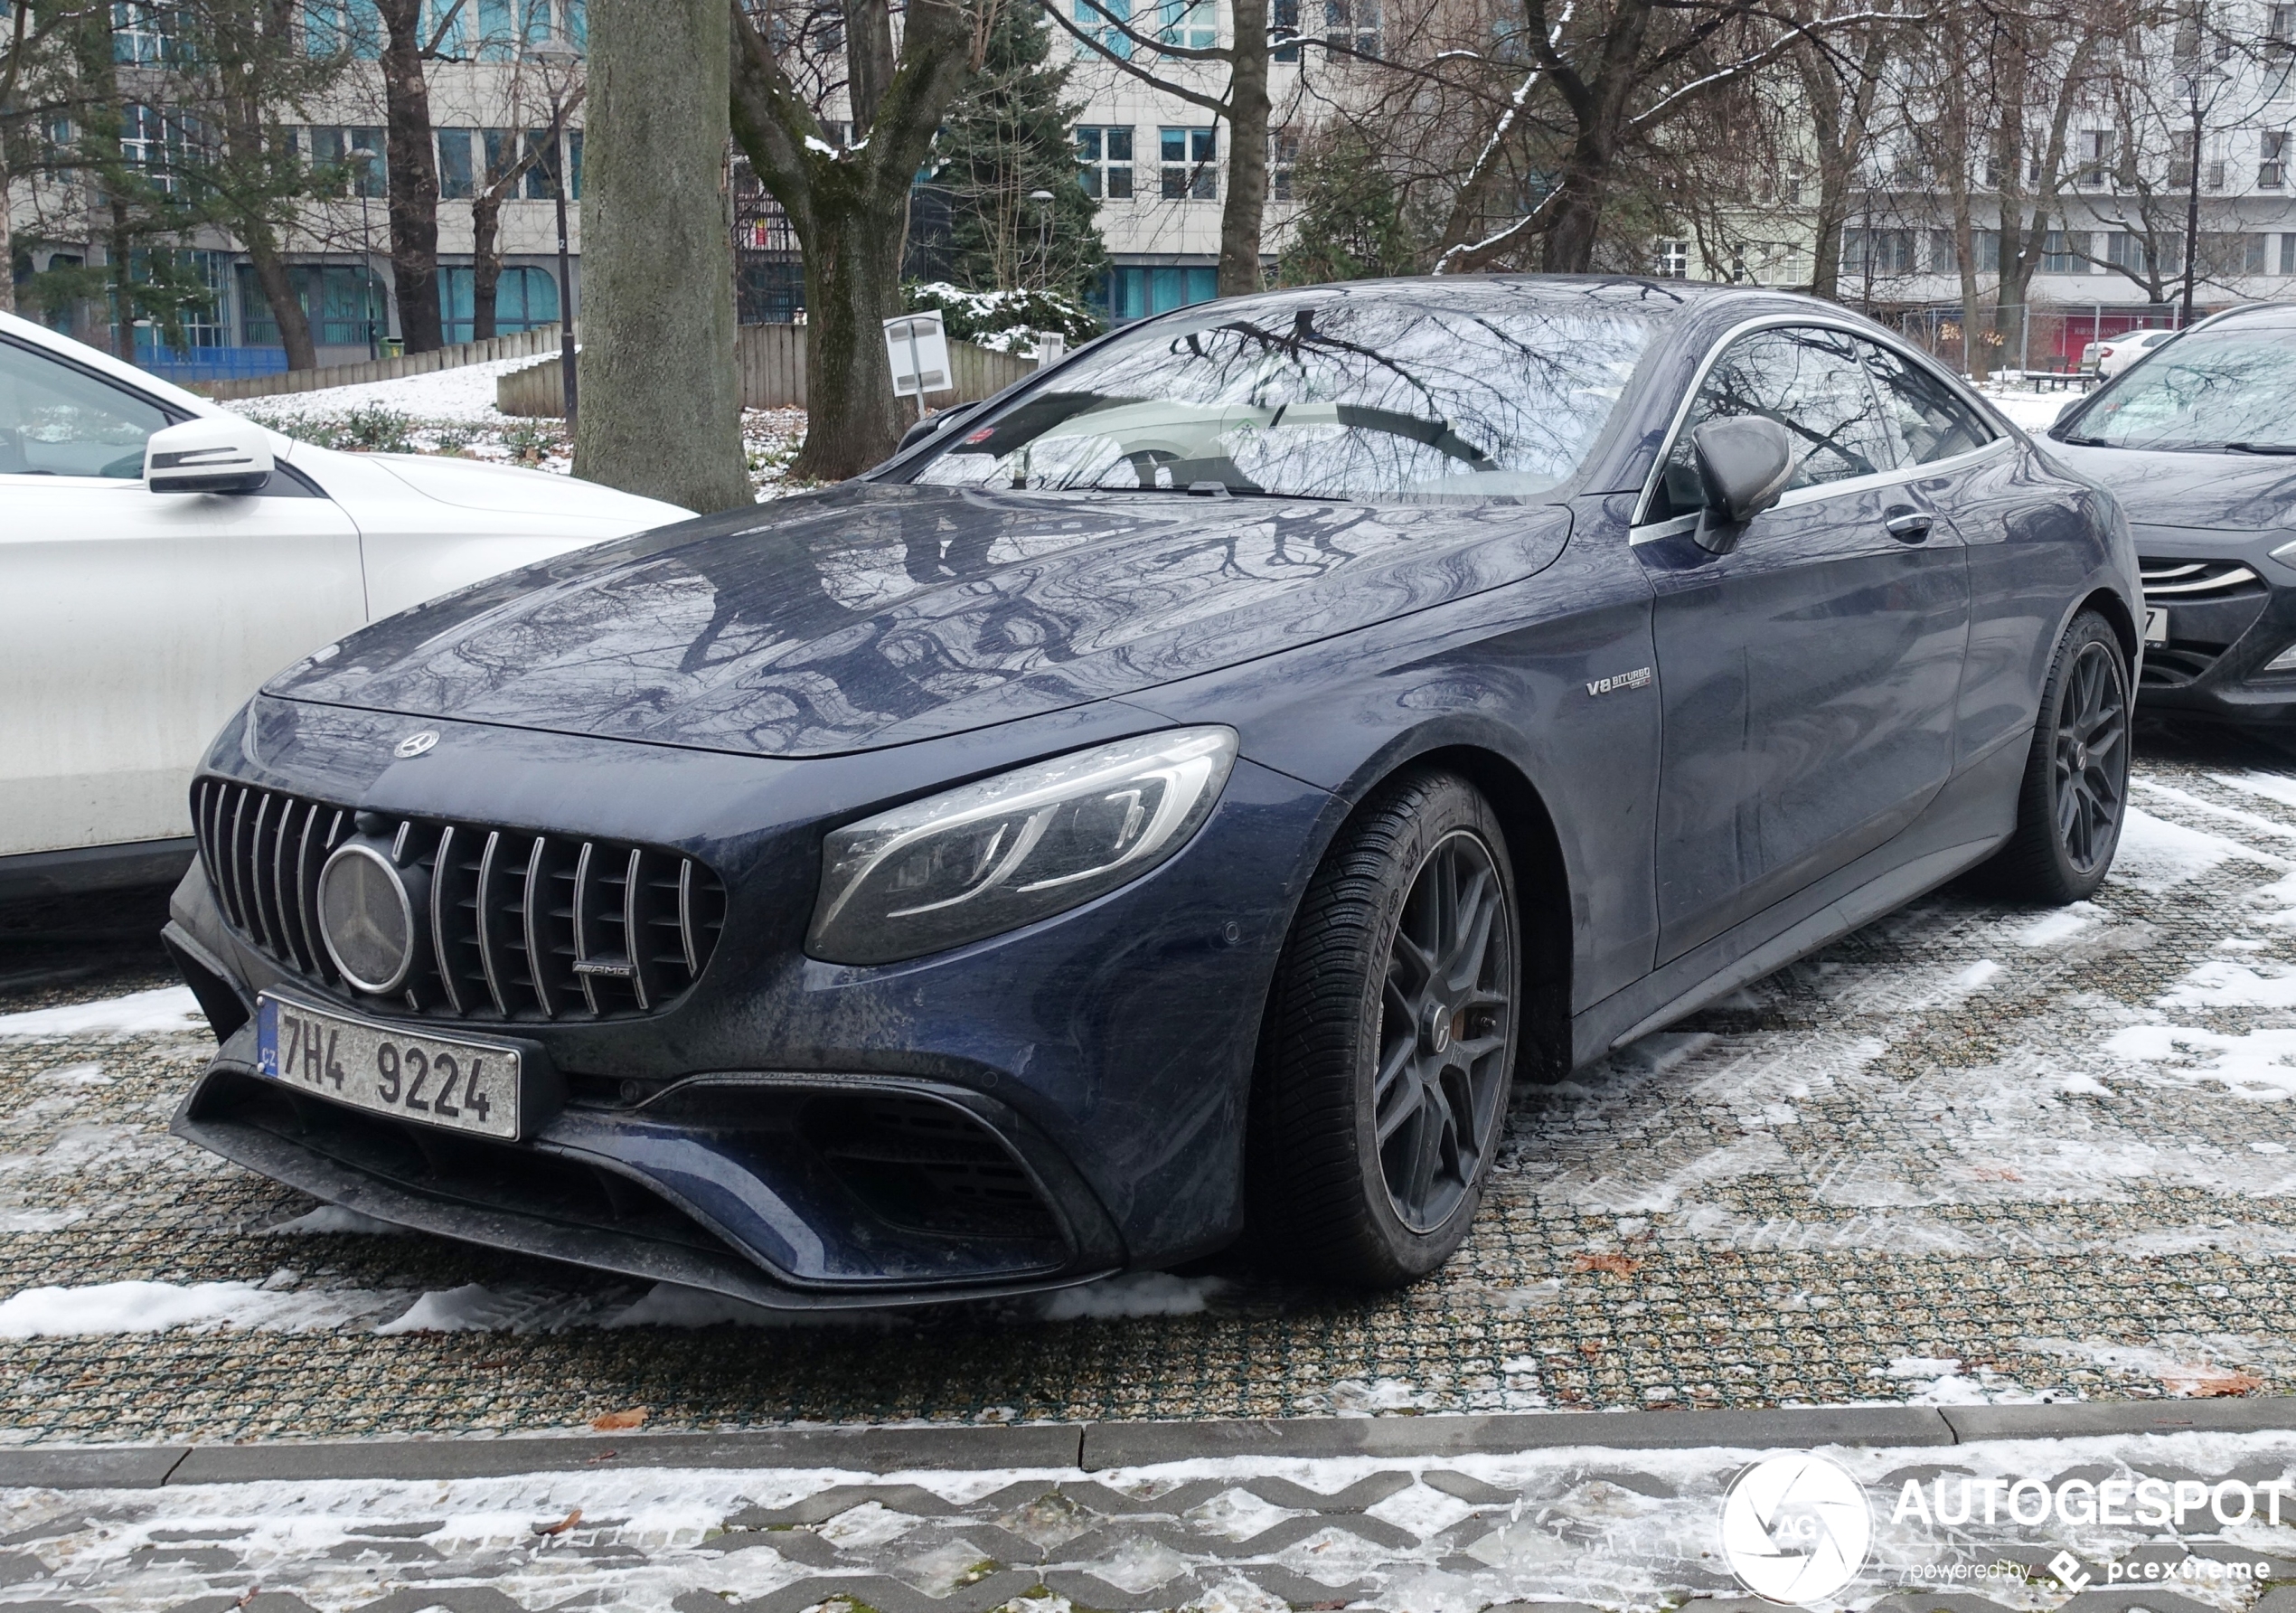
{"points": [[1556, 1531]]}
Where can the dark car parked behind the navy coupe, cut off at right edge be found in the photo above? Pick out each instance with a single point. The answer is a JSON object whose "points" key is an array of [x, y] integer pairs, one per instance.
{"points": [[2198, 442]]}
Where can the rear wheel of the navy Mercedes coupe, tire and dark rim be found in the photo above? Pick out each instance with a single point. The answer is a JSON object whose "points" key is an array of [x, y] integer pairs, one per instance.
{"points": [[2077, 775]]}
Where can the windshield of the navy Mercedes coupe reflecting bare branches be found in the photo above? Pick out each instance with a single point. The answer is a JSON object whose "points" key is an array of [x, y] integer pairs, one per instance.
{"points": [[1326, 396]]}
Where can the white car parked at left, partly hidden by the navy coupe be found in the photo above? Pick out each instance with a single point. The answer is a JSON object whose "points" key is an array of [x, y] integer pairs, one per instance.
{"points": [[162, 557]]}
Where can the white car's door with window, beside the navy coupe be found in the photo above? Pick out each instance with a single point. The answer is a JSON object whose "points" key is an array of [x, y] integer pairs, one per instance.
{"points": [[132, 624]]}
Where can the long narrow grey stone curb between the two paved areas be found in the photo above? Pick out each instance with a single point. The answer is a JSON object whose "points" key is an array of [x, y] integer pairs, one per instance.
{"points": [[1101, 1446]]}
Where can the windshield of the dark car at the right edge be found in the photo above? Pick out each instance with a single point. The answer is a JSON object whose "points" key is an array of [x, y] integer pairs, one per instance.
{"points": [[2212, 389]]}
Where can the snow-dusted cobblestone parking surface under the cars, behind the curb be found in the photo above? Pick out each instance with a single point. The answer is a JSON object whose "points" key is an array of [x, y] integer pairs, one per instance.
{"points": [[1971, 1152]]}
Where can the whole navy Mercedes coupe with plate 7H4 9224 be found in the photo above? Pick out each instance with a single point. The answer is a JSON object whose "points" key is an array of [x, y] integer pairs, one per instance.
{"points": [[1172, 801]]}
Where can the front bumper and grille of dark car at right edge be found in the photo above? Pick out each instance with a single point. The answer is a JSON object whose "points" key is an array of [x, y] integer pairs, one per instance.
{"points": [[2221, 638]]}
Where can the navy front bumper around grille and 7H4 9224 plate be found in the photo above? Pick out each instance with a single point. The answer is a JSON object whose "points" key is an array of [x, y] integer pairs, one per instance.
{"points": [[1025, 1113]]}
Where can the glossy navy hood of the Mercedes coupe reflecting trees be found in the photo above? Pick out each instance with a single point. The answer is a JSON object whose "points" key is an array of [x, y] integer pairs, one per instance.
{"points": [[874, 615]]}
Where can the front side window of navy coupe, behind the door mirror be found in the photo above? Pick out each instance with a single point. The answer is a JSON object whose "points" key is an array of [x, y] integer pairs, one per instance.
{"points": [[1810, 383]]}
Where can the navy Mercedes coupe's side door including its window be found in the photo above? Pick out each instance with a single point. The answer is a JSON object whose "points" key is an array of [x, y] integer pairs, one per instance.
{"points": [[1810, 674]]}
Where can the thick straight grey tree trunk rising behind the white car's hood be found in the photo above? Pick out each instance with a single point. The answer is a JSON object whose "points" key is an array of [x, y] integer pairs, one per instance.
{"points": [[660, 399]]}
